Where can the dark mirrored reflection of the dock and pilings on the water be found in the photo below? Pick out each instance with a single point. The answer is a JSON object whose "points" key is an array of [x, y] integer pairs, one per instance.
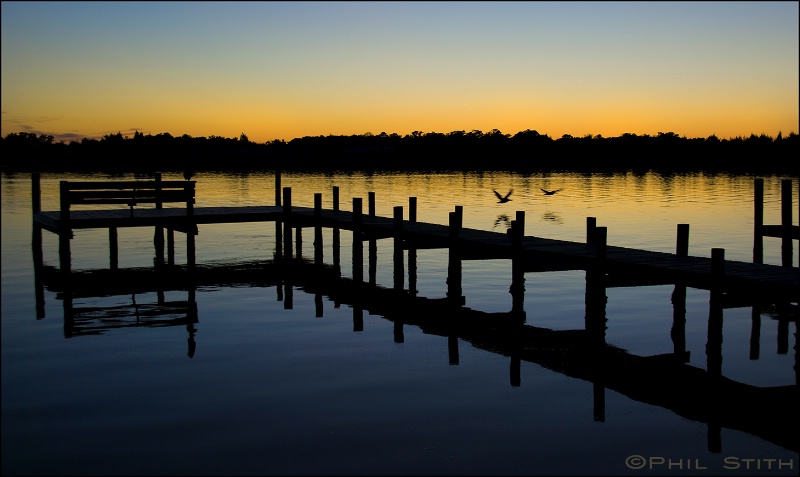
{"points": [[702, 395]]}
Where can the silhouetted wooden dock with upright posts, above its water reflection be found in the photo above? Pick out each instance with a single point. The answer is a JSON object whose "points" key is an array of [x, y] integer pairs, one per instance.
{"points": [[758, 281]]}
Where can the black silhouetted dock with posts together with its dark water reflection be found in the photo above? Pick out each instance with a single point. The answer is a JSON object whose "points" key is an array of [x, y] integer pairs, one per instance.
{"points": [[704, 395]]}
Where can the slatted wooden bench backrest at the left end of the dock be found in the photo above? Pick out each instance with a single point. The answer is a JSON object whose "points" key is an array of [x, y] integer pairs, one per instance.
{"points": [[130, 193]]}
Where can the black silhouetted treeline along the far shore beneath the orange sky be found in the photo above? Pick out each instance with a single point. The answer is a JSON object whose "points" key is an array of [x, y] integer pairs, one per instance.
{"points": [[525, 151]]}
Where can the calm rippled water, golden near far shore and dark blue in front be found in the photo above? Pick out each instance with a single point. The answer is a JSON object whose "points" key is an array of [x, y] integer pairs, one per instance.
{"points": [[271, 389]]}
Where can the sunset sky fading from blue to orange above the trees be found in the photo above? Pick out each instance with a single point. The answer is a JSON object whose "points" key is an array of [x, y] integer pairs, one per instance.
{"points": [[275, 70]]}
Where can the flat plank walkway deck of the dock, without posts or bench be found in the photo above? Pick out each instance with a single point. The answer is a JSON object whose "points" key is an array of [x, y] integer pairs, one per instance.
{"points": [[622, 263]]}
